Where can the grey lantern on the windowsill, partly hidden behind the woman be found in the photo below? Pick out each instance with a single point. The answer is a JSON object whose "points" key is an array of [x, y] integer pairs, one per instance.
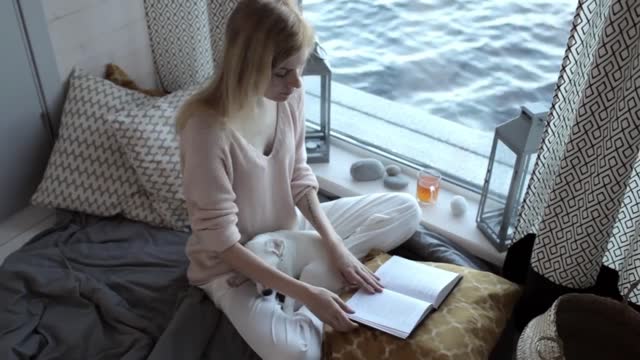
{"points": [[317, 80]]}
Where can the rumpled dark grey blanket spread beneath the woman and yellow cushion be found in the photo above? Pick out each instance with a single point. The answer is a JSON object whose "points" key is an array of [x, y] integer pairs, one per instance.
{"points": [[92, 288]]}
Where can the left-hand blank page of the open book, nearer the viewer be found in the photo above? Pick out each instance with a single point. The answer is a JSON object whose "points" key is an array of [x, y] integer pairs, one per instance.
{"points": [[388, 311]]}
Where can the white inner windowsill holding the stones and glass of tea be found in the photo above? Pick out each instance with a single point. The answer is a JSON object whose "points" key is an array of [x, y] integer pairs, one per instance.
{"points": [[334, 177]]}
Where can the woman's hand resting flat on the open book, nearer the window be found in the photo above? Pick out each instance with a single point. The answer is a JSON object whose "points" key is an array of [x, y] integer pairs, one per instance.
{"points": [[353, 272]]}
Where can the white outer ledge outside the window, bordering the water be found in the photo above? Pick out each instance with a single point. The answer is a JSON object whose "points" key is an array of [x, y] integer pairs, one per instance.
{"points": [[461, 151]]}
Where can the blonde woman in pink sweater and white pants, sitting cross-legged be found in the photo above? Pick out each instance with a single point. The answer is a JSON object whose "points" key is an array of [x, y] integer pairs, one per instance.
{"points": [[245, 173]]}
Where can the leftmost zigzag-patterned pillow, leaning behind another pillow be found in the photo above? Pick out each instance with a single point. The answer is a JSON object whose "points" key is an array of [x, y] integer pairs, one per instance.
{"points": [[87, 171]]}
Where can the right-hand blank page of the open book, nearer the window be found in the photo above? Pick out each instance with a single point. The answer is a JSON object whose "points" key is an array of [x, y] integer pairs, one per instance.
{"points": [[416, 280]]}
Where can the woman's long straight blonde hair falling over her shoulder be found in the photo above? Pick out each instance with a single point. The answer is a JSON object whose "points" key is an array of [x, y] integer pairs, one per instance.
{"points": [[260, 35]]}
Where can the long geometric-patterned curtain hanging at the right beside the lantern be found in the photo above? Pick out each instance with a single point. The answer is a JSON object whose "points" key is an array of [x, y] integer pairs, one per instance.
{"points": [[583, 200]]}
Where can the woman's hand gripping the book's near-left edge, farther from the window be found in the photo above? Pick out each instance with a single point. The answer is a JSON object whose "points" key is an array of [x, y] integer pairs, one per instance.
{"points": [[329, 308]]}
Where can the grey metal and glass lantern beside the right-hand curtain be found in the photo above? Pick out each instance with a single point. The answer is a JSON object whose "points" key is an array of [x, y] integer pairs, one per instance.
{"points": [[513, 154]]}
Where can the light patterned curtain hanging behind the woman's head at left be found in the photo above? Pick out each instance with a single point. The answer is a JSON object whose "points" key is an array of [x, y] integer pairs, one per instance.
{"points": [[186, 38]]}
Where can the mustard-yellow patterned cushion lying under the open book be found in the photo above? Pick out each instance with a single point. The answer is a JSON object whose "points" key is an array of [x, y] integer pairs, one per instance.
{"points": [[466, 326]]}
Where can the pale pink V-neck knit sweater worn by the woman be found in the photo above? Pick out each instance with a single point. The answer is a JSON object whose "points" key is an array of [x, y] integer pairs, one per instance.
{"points": [[234, 192]]}
